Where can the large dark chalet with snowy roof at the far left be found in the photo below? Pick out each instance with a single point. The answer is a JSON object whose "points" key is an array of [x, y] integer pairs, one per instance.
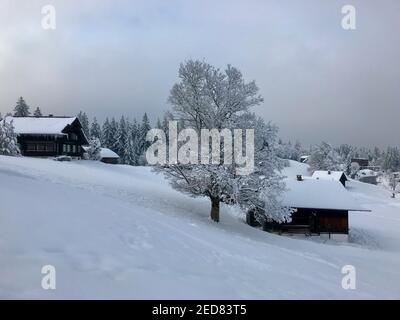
{"points": [[49, 136]]}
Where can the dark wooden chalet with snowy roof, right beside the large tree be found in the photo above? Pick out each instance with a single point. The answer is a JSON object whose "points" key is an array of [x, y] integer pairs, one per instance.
{"points": [[322, 209]]}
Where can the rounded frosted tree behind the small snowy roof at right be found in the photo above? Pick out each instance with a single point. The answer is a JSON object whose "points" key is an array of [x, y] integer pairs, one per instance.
{"points": [[325, 157]]}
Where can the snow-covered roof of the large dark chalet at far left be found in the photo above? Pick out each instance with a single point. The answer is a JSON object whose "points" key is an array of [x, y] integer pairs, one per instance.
{"points": [[40, 125]]}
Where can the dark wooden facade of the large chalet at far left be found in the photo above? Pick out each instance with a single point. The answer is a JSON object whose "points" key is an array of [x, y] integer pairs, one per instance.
{"points": [[69, 142]]}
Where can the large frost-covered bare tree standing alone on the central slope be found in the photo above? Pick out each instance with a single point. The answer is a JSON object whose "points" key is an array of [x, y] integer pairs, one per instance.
{"points": [[207, 98]]}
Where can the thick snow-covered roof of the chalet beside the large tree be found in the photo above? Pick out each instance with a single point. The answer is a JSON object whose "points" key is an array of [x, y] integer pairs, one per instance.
{"points": [[319, 194]]}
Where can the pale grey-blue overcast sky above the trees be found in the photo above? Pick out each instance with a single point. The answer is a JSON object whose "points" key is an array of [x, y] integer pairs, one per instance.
{"points": [[108, 58]]}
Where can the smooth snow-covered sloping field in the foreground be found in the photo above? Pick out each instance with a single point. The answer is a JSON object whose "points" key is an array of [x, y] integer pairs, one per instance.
{"points": [[122, 232]]}
